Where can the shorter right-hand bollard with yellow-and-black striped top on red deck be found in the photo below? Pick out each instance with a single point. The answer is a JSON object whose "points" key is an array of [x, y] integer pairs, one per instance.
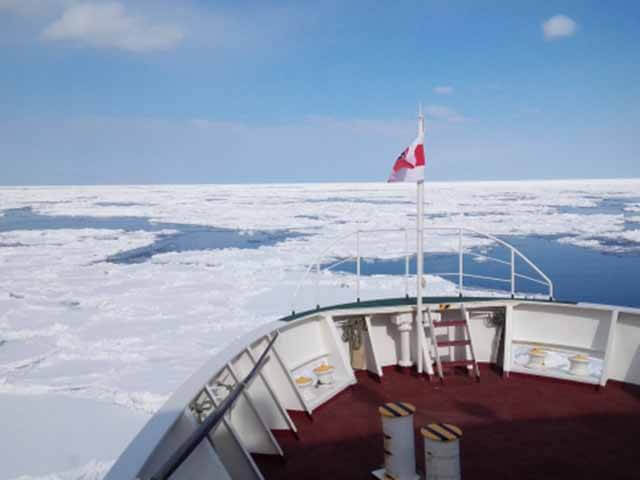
{"points": [[442, 451]]}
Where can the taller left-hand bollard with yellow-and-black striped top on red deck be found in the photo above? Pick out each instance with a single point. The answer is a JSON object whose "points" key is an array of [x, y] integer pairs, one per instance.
{"points": [[399, 443]]}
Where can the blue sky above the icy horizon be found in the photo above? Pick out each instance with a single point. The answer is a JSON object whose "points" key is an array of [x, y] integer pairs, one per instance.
{"points": [[231, 92]]}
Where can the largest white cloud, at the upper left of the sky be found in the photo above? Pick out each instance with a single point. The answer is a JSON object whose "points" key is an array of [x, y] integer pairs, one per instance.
{"points": [[108, 25]]}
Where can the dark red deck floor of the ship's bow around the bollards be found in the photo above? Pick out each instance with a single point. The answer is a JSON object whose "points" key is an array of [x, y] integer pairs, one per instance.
{"points": [[523, 427]]}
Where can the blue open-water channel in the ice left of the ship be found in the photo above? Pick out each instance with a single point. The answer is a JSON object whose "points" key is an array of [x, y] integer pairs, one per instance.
{"points": [[188, 237]]}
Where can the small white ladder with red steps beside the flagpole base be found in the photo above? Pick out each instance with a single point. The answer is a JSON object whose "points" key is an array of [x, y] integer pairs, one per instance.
{"points": [[464, 322]]}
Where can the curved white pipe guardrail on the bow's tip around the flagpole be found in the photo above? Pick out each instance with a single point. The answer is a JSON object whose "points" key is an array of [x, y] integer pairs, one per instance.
{"points": [[461, 274]]}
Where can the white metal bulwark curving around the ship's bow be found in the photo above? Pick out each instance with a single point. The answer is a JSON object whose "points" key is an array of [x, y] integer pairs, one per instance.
{"points": [[609, 334]]}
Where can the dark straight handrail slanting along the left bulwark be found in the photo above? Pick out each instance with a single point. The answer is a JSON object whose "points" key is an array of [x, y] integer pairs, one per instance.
{"points": [[190, 444]]}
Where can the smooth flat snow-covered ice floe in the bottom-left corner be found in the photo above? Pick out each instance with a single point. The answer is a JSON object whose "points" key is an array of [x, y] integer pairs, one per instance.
{"points": [[56, 433]]}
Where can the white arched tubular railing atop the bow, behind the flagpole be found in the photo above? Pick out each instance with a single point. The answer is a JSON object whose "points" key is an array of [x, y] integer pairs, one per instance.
{"points": [[315, 268]]}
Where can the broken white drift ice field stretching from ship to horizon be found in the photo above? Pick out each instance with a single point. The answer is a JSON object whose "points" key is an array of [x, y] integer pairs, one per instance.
{"points": [[126, 336]]}
